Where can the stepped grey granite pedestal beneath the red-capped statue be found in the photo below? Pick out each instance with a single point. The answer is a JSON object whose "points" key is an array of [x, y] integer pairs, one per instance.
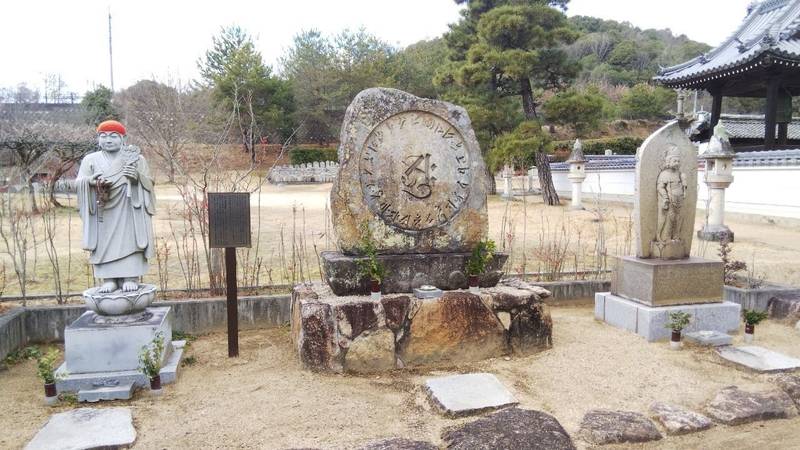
{"points": [[101, 354]]}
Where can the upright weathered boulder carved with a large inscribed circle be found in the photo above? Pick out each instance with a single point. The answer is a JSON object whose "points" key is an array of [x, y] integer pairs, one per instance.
{"points": [[411, 172]]}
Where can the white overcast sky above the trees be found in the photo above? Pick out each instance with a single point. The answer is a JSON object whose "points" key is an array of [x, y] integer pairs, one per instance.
{"points": [[162, 38]]}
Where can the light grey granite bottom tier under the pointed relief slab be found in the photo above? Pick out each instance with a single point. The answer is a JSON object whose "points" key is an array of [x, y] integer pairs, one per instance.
{"points": [[648, 321]]}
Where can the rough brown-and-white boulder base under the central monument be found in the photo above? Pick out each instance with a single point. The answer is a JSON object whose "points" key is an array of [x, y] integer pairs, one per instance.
{"points": [[361, 335]]}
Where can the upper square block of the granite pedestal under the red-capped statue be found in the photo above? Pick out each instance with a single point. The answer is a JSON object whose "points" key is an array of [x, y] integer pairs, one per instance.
{"points": [[90, 346]]}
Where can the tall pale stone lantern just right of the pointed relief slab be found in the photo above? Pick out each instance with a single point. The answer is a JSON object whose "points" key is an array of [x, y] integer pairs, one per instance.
{"points": [[718, 175]]}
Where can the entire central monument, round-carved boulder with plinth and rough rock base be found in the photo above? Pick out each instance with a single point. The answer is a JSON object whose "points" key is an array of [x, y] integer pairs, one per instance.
{"points": [[412, 177]]}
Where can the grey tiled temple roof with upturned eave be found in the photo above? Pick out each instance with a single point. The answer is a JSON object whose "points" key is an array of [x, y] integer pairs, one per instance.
{"points": [[769, 35]]}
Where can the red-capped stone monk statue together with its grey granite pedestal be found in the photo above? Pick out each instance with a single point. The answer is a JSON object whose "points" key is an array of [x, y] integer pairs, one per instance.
{"points": [[116, 202]]}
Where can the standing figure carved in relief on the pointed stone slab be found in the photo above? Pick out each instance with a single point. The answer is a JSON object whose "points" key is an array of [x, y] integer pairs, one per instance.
{"points": [[671, 188]]}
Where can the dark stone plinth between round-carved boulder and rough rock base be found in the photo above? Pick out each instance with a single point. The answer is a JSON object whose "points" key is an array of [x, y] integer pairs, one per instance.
{"points": [[406, 272]]}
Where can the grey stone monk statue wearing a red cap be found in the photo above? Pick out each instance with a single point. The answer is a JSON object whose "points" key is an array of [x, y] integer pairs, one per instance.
{"points": [[116, 203]]}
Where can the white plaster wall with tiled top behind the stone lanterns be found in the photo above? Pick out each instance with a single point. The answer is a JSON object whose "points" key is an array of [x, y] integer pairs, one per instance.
{"points": [[766, 191]]}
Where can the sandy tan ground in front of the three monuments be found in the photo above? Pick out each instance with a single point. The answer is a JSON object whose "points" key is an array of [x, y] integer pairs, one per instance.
{"points": [[263, 399]]}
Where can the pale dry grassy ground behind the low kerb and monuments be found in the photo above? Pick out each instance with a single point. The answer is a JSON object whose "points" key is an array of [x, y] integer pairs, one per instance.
{"points": [[541, 239]]}
